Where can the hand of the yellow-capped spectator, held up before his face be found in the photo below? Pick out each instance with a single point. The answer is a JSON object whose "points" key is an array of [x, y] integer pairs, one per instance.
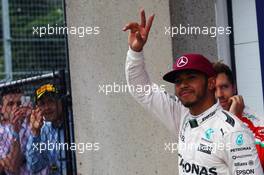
{"points": [[36, 121]]}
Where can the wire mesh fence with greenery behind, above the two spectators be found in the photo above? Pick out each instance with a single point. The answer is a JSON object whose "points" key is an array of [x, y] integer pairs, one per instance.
{"points": [[23, 52]]}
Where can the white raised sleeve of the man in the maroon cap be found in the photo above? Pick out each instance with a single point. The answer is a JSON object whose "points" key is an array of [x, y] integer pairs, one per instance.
{"points": [[165, 107]]}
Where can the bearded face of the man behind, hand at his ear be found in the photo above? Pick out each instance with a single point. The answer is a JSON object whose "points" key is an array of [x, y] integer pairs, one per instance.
{"points": [[224, 90]]}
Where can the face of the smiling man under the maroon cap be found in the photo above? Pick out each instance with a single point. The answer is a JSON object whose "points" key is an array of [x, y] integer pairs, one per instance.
{"points": [[191, 87]]}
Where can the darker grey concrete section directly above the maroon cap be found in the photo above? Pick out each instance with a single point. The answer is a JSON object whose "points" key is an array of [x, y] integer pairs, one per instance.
{"points": [[194, 13]]}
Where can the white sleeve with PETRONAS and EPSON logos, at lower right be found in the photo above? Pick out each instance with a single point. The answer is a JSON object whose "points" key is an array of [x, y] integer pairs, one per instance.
{"points": [[240, 154]]}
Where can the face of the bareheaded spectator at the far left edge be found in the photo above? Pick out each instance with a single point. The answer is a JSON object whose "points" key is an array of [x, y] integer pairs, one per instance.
{"points": [[10, 103]]}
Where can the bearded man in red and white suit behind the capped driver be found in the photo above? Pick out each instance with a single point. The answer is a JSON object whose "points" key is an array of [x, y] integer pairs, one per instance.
{"points": [[226, 92]]}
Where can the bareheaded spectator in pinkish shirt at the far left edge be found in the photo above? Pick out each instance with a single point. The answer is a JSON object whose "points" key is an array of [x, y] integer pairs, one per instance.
{"points": [[14, 132]]}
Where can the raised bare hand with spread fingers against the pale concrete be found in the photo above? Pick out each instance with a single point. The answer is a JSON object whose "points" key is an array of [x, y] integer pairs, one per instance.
{"points": [[138, 34]]}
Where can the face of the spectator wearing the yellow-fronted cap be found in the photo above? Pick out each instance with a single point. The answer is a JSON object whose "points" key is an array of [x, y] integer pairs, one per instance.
{"points": [[51, 108]]}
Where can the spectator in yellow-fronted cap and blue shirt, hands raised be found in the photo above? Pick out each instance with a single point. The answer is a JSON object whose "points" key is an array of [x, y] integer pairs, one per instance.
{"points": [[46, 121]]}
